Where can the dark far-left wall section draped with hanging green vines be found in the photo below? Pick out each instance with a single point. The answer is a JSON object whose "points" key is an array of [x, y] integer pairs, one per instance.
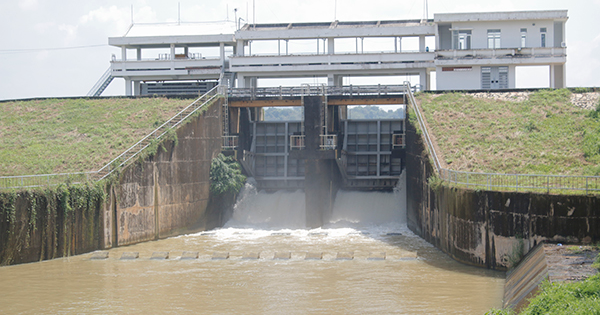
{"points": [[49, 215]]}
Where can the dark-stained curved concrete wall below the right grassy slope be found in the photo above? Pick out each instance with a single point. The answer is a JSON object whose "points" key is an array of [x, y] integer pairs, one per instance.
{"points": [[487, 228]]}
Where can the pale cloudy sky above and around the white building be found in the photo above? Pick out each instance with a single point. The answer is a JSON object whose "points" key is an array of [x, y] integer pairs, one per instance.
{"points": [[56, 48]]}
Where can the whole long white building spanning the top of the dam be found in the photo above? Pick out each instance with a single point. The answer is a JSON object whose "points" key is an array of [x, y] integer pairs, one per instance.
{"points": [[468, 51]]}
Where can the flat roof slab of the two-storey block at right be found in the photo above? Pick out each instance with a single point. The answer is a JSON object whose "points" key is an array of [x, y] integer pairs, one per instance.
{"points": [[501, 16]]}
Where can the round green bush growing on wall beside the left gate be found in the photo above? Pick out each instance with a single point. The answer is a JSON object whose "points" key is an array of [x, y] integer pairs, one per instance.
{"points": [[226, 175]]}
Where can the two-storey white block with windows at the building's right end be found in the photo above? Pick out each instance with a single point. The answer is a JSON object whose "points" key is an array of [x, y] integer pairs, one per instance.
{"points": [[481, 50]]}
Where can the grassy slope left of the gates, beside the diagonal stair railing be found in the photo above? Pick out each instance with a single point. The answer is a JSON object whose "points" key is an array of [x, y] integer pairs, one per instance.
{"points": [[70, 135]]}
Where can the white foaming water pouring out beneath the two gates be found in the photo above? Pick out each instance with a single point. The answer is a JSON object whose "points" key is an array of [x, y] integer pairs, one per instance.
{"points": [[257, 214]]}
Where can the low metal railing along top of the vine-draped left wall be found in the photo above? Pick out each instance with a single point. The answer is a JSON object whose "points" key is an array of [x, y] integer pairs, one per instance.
{"points": [[33, 181]]}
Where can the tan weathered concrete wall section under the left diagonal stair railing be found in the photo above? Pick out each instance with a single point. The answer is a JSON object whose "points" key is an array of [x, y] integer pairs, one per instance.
{"points": [[168, 193]]}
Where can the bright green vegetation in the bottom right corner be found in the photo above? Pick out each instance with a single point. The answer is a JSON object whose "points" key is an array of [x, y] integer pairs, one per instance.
{"points": [[575, 298]]}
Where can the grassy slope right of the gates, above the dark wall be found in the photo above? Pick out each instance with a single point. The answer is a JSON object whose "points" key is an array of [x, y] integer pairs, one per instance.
{"points": [[543, 135]]}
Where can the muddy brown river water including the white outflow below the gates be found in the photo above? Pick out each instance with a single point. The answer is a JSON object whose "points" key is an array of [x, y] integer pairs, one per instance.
{"points": [[365, 260]]}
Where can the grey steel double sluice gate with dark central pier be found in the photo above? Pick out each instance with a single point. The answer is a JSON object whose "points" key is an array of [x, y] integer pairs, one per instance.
{"points": [[323, 152]]}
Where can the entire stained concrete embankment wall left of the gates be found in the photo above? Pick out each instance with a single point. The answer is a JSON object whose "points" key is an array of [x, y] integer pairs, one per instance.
{"points": [[166, 194]]}
